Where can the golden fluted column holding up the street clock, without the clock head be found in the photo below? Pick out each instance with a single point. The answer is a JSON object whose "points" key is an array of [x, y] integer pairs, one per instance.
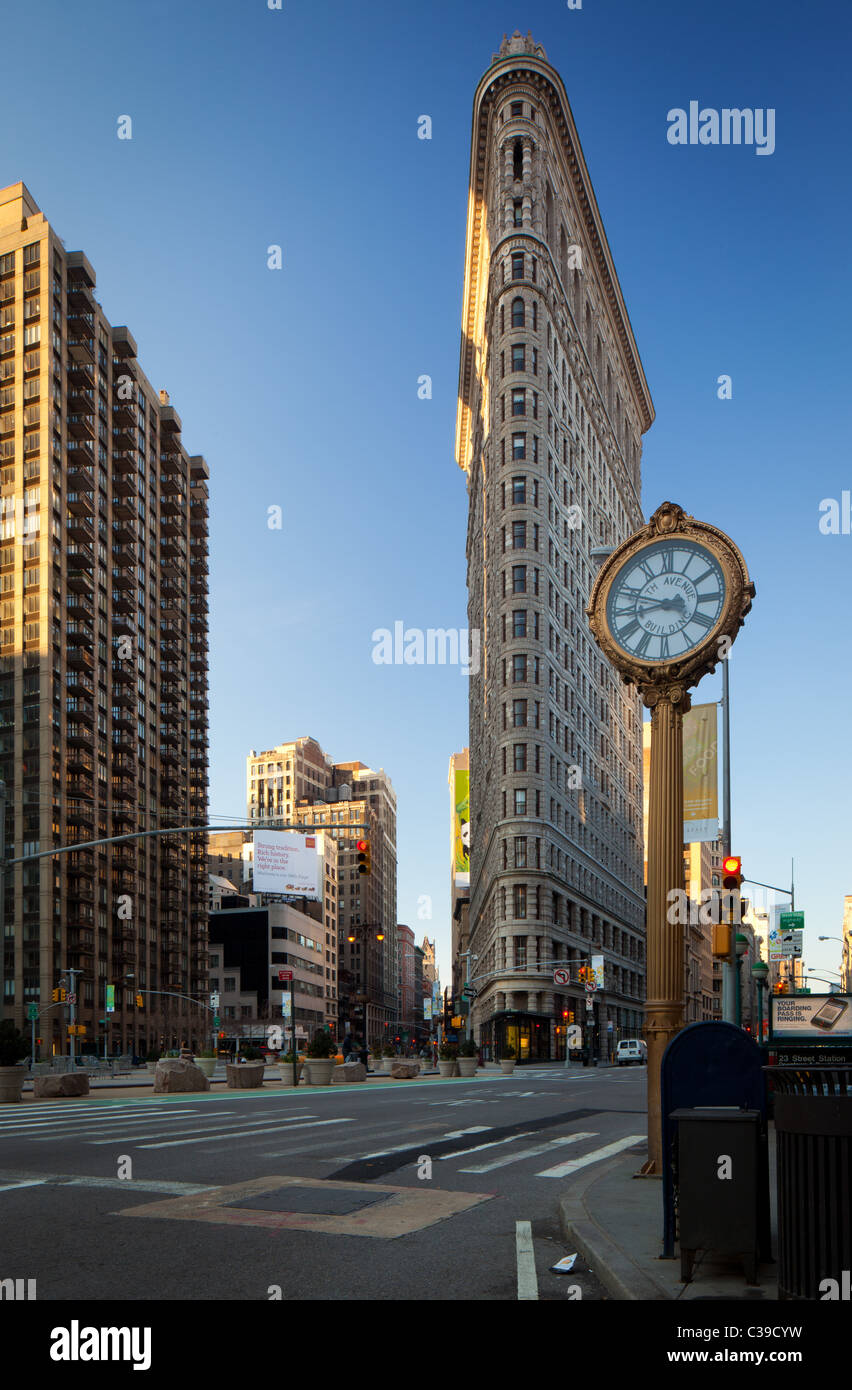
{"points": [[665, 940]]}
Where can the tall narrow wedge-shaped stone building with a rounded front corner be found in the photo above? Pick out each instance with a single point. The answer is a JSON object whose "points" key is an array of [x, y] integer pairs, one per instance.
{"points": [[552, 408]]}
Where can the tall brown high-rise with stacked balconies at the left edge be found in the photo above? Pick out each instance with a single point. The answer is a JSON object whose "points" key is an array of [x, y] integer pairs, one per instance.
{"points": [[104, 658]]}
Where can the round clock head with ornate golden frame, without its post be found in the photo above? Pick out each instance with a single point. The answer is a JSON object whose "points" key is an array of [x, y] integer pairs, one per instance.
{"points": [[669, 601]]}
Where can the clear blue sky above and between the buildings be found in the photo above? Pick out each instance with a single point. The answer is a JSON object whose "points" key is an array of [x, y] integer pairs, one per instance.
{"points": [[298, 129]]}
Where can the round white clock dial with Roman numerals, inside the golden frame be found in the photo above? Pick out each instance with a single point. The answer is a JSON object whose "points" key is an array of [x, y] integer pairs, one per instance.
{"points": [[666, 600]]}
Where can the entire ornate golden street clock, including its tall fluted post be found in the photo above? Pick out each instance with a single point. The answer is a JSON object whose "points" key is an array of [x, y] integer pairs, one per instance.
{"points": [[665, 610]]}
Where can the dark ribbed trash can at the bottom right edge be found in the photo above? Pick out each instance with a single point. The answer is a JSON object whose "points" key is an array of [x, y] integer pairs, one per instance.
{"points": [[814, 1129]]}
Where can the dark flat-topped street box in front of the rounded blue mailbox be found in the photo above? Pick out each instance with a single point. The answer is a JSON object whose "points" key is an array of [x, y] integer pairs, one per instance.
{"points": [[718, 1175]]}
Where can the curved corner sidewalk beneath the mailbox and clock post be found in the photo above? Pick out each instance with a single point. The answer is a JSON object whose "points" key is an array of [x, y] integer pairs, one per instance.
{"points": [[615, 1221]]}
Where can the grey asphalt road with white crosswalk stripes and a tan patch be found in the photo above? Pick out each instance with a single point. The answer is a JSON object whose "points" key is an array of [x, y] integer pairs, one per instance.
{"points": [[376, 1192]]}
